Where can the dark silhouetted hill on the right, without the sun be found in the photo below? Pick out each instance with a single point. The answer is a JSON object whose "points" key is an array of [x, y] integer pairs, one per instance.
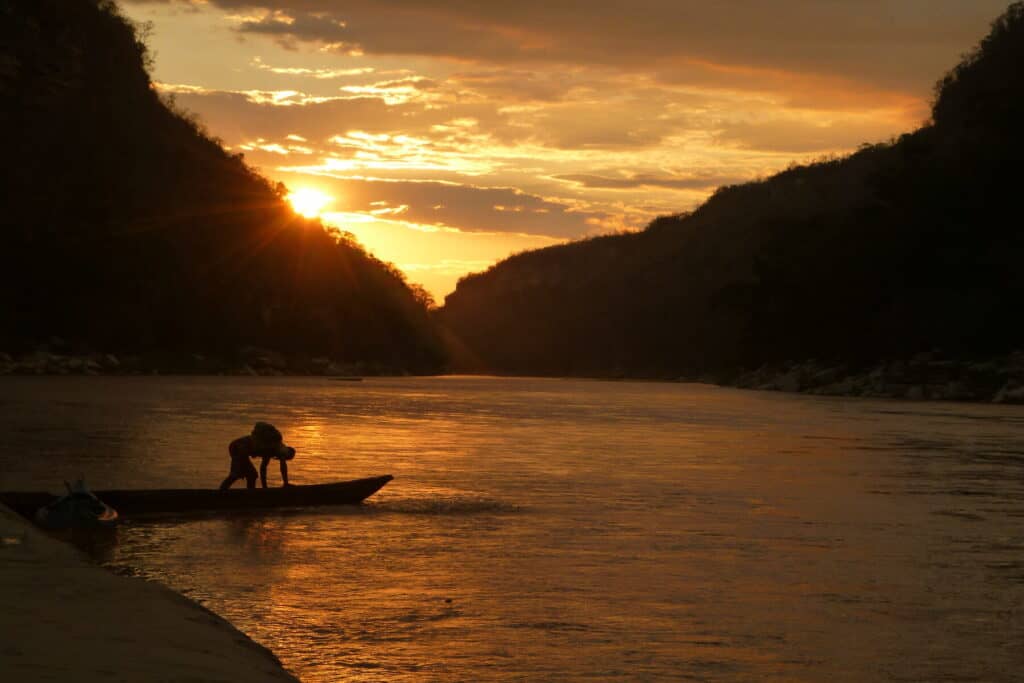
{"points": [[900, 249]]}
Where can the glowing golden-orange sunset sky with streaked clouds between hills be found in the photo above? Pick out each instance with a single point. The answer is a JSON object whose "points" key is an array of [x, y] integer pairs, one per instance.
{"points": [[451, 135]]}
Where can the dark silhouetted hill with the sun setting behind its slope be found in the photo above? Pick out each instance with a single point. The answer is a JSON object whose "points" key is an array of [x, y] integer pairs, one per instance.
{"points": [[126, 229]]}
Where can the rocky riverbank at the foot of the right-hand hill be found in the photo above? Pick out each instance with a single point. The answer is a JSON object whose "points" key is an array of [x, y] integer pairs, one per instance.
{"points": [[926, 377]]}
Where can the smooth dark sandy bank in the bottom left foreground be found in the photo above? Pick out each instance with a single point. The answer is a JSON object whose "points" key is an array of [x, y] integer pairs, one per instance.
{"points": [[64, 619]]}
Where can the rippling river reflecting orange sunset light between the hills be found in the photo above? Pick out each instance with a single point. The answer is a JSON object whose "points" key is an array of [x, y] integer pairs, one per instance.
{"points": [[543, 530]]}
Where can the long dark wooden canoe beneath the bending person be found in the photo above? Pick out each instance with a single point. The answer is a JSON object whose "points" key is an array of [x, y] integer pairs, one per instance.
{"points": [[184, 501]]}
